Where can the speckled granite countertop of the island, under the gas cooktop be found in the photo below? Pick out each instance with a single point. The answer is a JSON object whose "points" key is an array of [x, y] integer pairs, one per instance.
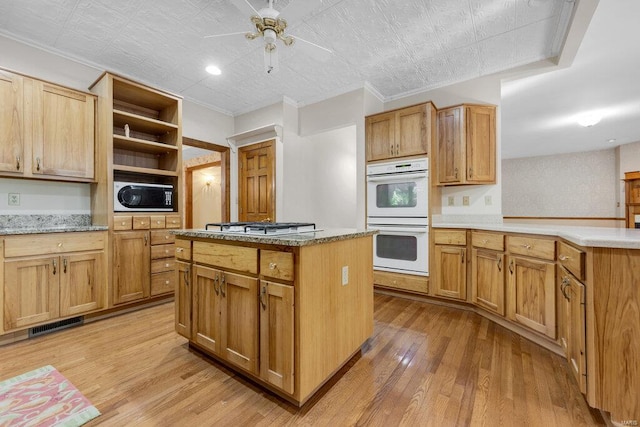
{"points": [[300, 239]]}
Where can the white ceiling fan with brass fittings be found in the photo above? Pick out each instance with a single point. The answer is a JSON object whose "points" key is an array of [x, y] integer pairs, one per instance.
{"points": [[270, 27]]}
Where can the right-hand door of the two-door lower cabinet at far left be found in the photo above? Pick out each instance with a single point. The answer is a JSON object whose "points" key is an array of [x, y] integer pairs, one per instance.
{"points": [[82, 283]]}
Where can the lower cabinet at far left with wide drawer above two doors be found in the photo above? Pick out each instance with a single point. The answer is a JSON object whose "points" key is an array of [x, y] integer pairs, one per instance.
{"points": [[41, 286]]}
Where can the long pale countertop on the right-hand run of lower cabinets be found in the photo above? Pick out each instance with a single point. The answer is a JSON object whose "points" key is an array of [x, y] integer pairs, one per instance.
{"points": [[600, 237]]}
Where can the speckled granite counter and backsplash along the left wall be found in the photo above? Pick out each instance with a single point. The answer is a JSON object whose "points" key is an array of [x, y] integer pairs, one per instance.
{"points": [[37, 224]]}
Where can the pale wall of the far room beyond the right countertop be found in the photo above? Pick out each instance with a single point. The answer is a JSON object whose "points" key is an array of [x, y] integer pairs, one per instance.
{"points": [[568, 185]]}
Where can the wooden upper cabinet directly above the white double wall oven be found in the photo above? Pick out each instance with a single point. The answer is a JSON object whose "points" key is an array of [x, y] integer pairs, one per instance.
{"points": [[399, 133]]}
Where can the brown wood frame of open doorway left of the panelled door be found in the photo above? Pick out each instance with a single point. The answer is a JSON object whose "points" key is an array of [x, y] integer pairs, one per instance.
{"points": [[225, 181]]}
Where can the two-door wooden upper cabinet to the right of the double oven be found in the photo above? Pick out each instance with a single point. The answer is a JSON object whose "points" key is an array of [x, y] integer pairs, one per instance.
{"points": [[466, 145]]}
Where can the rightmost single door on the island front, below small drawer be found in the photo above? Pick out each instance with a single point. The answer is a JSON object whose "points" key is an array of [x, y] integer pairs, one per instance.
{"points": [[277, 335]]}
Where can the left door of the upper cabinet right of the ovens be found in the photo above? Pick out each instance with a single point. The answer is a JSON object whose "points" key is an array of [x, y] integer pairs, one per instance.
{"points": [[450, 146]]}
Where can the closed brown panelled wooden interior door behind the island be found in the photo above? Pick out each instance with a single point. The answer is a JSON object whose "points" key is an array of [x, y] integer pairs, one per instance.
{"points": [[256, 192]]}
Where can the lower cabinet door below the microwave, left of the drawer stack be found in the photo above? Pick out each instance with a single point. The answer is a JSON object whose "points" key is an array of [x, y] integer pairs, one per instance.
{"points": [[131, 266]]}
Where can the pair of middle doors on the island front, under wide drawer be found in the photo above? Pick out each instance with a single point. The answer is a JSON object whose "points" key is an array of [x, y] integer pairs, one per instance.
{"points": [[226, 315]]}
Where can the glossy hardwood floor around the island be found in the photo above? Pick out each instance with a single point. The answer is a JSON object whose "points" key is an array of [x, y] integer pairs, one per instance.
{"points": [[426, 365]]}
